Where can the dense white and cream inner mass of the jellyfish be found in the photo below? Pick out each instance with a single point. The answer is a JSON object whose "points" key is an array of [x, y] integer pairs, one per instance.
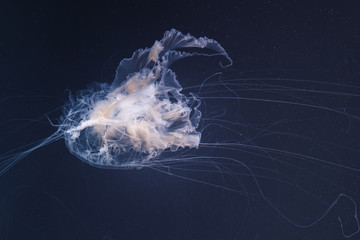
{"points": [[142, 119]]}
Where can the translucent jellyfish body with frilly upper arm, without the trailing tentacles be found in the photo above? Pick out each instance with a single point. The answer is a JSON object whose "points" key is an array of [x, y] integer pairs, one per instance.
{"points": [[142, 113]]}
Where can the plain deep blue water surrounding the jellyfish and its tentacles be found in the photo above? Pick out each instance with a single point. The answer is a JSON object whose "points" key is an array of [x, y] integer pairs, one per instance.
{"points": [[47, 47]]}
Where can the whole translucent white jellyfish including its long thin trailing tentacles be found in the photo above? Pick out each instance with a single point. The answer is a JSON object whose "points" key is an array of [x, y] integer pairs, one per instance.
{"points": [[146, 119]]}
